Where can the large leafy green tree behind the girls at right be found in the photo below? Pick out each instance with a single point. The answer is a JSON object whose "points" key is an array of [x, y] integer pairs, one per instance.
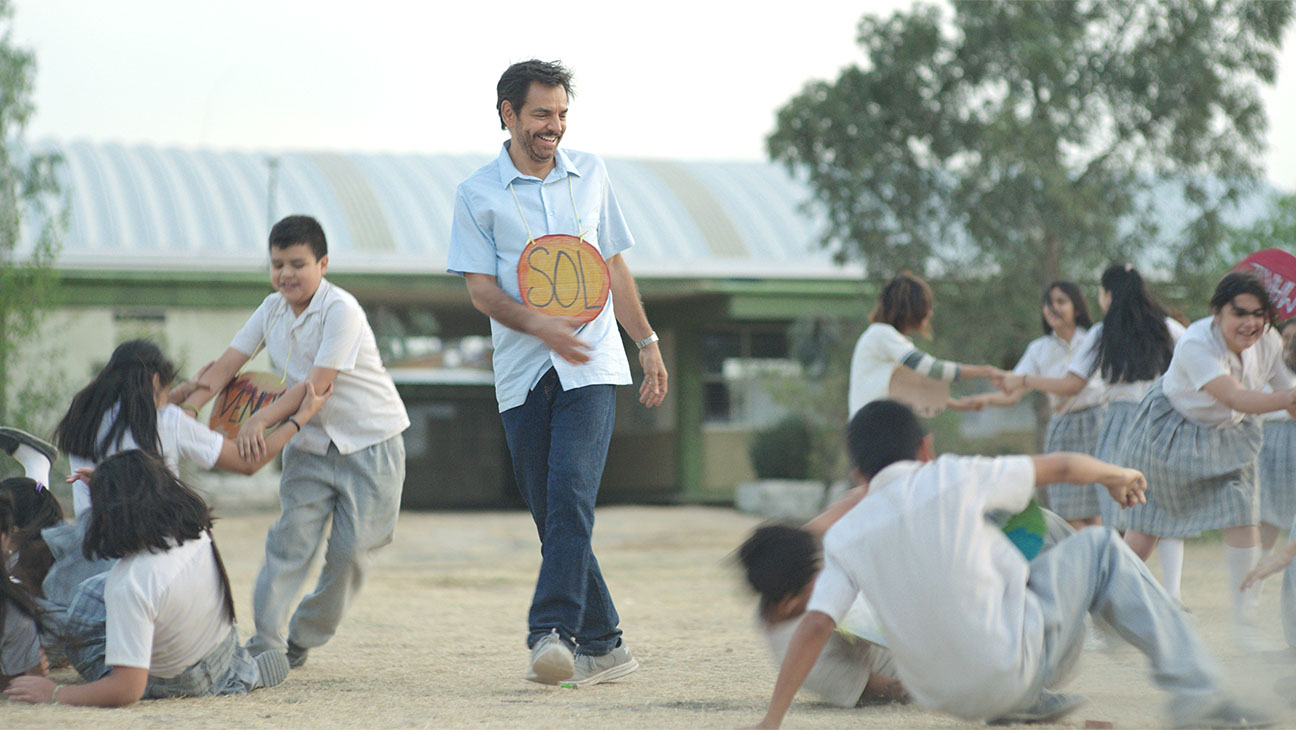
{"points": [[1027, 142]]}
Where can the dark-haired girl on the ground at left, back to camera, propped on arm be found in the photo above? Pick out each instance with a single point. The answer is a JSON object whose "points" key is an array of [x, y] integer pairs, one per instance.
{"points": [[161, 622]]}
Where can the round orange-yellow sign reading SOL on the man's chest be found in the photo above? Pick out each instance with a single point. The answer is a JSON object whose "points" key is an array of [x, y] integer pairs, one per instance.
{"points": [[564, 277]]}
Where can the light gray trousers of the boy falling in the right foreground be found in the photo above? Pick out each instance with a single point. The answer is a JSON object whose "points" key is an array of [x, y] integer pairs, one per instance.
{"points": [[1096, 572]]}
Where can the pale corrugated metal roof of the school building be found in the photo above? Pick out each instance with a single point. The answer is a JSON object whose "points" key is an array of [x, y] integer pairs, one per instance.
{"points": [[143, 208]]}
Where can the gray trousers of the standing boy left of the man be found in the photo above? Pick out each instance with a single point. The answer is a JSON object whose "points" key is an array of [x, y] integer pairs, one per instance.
{"points": [[360, 496]]}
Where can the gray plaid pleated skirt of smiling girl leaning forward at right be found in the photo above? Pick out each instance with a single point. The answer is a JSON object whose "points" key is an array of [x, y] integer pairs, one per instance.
{"points": [[1199, 478]]}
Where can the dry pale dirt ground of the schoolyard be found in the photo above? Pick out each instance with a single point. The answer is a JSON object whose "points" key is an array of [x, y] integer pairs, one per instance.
{"points": [[436, 640]]}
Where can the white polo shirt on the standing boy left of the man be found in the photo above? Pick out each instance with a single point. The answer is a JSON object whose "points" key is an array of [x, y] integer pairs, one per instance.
{"points": [[332, 333]]}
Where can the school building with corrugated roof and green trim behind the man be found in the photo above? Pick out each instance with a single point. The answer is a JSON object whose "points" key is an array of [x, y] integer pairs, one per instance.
{"points": [[172, 244]]}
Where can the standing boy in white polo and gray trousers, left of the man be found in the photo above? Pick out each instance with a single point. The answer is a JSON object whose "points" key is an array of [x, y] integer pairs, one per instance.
{"points": [[345, 467]]}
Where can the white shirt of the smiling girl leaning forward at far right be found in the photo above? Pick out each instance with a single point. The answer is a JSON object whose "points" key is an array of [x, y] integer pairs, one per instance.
{"points": [[1202, 356]]}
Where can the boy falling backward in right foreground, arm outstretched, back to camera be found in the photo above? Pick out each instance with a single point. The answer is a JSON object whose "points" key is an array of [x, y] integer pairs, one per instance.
{"points": [[974, 628]]}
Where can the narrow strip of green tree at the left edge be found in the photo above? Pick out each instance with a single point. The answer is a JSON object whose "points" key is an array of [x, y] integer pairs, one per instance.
{"points": [[32, 222]]}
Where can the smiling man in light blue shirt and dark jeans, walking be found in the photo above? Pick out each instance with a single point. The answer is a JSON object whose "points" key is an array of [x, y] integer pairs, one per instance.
{"points": [[555, 379]]}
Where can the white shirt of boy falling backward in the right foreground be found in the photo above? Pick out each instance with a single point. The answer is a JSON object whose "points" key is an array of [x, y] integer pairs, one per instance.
{"points": [[947, 585]]}
